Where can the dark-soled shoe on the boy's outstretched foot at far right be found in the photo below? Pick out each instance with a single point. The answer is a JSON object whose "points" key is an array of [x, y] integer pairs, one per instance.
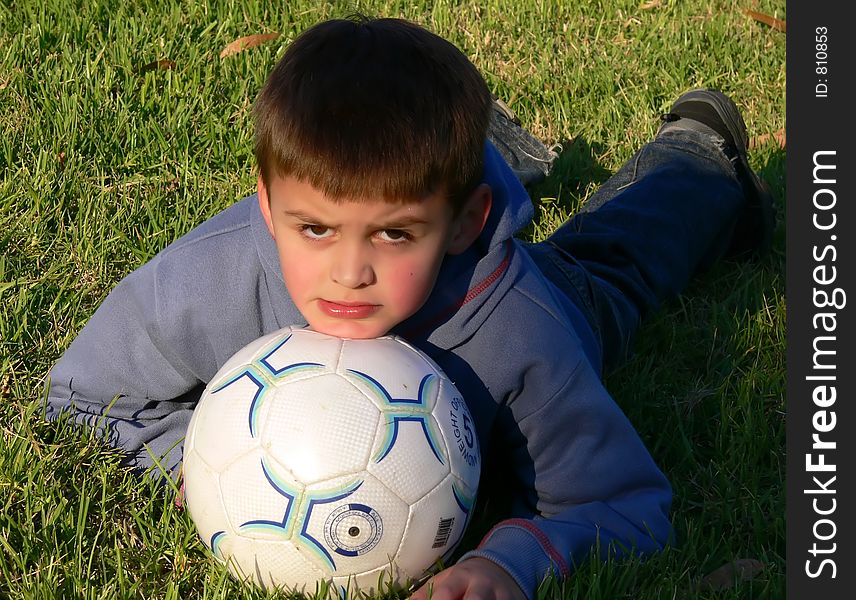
{"points": [[712, 111]]}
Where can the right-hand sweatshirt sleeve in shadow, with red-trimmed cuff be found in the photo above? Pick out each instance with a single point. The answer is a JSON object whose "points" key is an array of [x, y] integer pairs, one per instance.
{"points": [[584, 480]]}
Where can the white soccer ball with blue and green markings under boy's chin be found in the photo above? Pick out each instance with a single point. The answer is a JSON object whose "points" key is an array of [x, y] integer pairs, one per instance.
{"points": [[313, 462]]}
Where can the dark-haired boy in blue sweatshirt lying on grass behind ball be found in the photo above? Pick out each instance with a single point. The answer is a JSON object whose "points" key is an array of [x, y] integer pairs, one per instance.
{"points": [[382, 208]]}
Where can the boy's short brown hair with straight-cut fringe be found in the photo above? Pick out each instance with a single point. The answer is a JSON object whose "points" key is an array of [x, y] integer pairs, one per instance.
{"points": [[363, 107]]}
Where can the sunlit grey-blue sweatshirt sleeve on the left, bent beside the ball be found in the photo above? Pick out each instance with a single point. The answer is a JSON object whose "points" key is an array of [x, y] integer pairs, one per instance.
{"points": [[121, 377]]}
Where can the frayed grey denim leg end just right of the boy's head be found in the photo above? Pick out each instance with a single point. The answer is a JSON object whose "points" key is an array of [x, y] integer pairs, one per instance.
{"points": [[527, 156]]}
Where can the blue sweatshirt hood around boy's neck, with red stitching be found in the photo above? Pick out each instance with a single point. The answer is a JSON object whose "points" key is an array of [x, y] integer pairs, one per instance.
{"points": [[468, 285]]}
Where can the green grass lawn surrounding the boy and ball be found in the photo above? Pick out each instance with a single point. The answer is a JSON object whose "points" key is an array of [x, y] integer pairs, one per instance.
{"points": [[104, 162]]}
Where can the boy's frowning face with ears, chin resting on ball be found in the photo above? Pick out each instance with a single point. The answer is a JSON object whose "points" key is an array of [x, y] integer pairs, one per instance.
{"points": [[356, 269]]}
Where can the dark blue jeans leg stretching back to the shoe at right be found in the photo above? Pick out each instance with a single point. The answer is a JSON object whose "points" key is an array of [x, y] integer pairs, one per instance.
{"points": [[667, 214]]}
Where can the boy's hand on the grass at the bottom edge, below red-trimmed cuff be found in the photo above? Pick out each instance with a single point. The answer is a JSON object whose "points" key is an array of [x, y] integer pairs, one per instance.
{"points": [[472, 579]]}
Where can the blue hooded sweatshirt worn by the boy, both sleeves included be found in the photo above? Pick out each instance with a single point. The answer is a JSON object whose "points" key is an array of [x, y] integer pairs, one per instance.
{"points": [[569, 465]]}
